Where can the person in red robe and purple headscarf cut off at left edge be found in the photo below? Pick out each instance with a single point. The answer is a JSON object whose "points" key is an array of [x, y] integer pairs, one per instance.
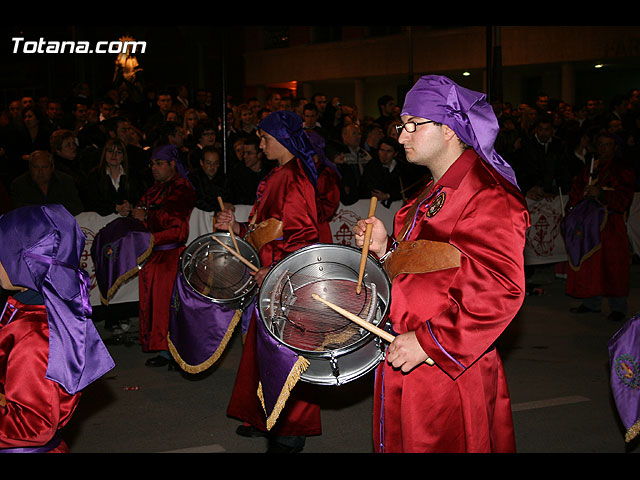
{"points": [[49, 348]]}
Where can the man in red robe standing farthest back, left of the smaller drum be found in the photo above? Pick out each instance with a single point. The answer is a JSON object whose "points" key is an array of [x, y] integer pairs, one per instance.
{"points": [[165, 210]]}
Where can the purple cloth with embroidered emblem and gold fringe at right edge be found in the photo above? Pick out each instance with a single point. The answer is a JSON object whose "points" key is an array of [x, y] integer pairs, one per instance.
{"points": [[624, 361]]}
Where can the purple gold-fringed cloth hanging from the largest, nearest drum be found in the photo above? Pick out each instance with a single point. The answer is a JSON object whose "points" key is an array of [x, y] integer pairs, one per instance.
{"points": [[280, 369]]}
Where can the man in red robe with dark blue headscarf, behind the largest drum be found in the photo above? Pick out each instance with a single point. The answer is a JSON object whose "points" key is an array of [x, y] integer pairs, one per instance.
{"points": [[287, 195]]}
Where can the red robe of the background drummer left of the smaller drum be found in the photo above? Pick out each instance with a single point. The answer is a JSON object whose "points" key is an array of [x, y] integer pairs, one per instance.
{"points": [[169, 206]]}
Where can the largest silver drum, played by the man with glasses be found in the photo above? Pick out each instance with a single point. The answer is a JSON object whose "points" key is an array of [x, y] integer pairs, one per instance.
{"points": [[338, 350]]}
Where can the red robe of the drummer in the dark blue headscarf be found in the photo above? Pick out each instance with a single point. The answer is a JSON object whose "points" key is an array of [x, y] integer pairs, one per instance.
{"points": [[288, 195]]}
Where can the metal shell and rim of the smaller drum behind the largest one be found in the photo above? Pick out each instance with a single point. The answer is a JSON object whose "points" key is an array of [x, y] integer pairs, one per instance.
{"points": [[243, 298]]}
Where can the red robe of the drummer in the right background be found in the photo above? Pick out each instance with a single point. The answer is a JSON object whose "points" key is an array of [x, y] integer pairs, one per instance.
{"points": [[606, 272]]}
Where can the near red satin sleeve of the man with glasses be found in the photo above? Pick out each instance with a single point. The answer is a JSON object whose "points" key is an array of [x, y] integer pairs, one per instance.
{"points": [[486, 291]]}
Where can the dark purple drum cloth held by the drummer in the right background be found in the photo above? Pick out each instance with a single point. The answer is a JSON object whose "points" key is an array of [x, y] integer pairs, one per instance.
{"points": [[581, 229]]}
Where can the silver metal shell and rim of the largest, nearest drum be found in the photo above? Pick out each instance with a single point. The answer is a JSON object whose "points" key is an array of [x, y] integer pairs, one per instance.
{"points": [[352, 361]]}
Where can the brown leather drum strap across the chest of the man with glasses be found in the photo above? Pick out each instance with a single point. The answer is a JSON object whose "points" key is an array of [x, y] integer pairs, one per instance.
{"points": [[421, 256]]}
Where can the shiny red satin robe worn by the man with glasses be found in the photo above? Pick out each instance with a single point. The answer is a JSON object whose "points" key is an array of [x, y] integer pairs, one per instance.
{"points": [[461, 404]]}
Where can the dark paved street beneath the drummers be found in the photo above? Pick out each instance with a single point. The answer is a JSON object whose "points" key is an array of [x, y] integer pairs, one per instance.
{"points": [[556, 363]]}
